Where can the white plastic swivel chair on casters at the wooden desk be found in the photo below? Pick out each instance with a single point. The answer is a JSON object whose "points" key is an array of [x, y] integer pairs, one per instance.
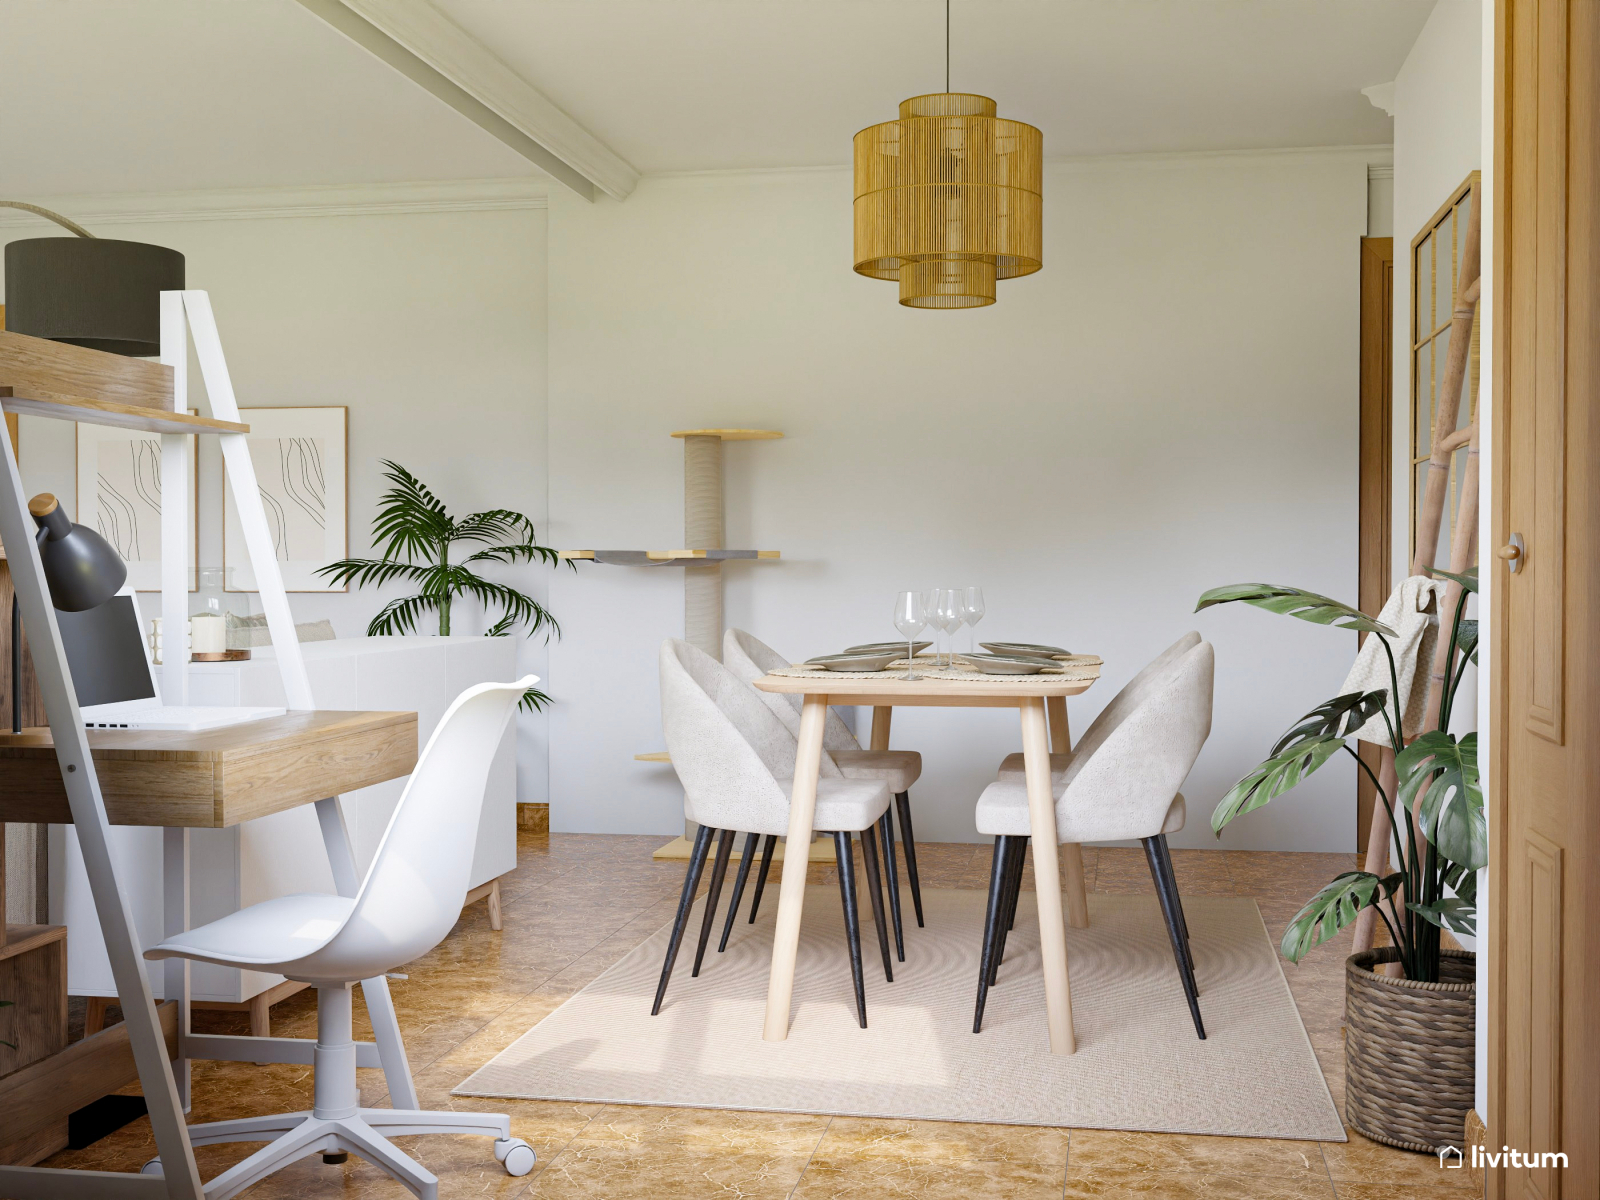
{"points": [[407, 905]]}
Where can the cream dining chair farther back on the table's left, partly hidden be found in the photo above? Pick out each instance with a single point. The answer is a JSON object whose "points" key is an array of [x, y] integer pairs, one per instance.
{"points": [[750, 658]]}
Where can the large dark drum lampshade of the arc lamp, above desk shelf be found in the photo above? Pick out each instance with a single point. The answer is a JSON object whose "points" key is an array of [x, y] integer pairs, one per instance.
{"points": [[90, 292]]}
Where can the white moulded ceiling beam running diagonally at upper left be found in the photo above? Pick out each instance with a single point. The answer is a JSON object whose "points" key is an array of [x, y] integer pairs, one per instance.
{"points": [[433, 52]]}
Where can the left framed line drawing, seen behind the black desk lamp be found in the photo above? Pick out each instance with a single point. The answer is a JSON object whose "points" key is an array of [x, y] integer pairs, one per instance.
{"points": [[119, 494]]}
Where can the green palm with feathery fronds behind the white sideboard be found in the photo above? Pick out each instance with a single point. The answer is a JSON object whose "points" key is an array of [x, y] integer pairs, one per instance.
{"points": [[415, 534]]}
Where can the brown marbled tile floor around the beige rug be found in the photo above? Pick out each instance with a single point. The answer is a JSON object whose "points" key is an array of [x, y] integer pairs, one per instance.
{"points": [[578, 903]]}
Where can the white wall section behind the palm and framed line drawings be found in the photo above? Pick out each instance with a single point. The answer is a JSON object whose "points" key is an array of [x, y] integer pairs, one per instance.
{"points": [[428, 324]]}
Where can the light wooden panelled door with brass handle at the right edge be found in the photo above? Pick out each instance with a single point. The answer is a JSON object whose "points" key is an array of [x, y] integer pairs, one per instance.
{"points": [[1545, 820]]}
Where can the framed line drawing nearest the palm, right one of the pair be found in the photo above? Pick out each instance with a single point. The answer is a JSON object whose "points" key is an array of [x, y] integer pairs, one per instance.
{"points": [[302, 465]]}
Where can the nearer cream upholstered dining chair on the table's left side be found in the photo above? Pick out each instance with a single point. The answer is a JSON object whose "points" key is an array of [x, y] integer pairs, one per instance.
{"points": [[737, 764]]}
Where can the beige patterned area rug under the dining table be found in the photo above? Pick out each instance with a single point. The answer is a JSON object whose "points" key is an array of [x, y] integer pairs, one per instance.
{"points": [[1138, 1066]]}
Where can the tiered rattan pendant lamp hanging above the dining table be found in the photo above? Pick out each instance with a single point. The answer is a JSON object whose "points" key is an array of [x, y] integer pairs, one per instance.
{"points": [[950, 198]]}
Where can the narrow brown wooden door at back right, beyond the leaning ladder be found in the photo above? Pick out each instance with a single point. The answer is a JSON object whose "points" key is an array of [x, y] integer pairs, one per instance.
{"points": [[1377, 470]]}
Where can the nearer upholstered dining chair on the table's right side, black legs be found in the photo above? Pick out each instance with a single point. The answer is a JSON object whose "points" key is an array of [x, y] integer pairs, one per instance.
{"points": [[1126, 786]]}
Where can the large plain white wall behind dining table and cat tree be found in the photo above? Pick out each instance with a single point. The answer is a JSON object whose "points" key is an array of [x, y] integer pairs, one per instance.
{"points": [[1170, 406]]}
